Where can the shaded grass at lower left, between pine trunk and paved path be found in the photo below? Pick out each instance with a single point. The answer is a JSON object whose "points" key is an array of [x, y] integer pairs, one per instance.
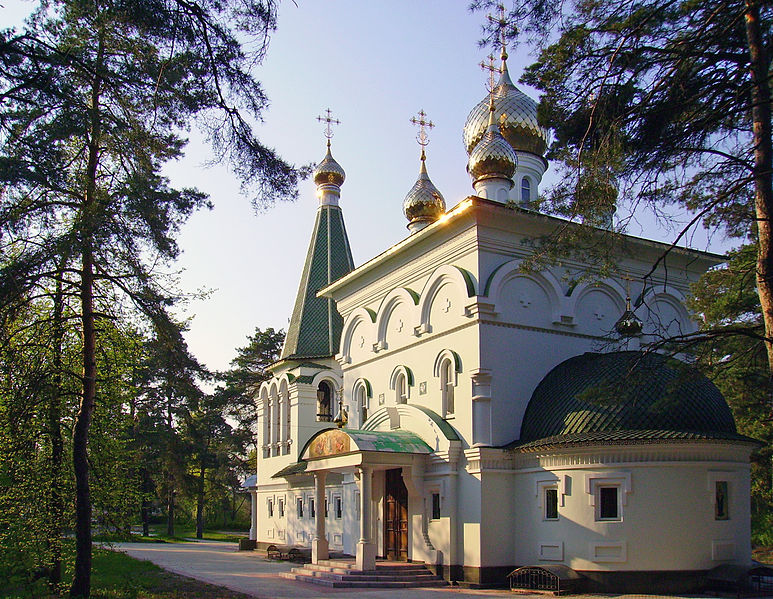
{"points": [[117, 576]]}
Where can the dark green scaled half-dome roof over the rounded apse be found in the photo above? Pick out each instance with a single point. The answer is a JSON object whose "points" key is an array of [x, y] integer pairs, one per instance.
{"points": [[626, 395]]}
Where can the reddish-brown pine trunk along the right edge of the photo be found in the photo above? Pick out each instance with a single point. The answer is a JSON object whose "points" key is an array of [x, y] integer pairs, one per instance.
{"points": [[763, 177]]}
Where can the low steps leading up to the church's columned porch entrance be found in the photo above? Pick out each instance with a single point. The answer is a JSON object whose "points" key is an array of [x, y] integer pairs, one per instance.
{"points": [[387, 575]]}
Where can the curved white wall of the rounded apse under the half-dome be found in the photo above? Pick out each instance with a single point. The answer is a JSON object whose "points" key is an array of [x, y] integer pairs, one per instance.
{"points": [[667, 519]]}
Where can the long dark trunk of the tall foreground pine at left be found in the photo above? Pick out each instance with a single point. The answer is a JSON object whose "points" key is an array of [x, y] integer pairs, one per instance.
{"points": [[81, 584]]}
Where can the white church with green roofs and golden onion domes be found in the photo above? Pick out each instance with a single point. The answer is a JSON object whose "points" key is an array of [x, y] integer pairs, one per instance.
{"points": [[442, 404]]}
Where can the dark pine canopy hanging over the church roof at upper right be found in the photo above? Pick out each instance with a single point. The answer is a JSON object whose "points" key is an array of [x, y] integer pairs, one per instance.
{"points": [[660, 103]]}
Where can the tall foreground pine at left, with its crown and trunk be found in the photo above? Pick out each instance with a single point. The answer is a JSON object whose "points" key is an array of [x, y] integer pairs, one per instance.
{"points": [[94, 95]]}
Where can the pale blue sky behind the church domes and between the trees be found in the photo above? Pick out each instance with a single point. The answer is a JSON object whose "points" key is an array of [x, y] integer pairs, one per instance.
{"points": [[375, 63]]}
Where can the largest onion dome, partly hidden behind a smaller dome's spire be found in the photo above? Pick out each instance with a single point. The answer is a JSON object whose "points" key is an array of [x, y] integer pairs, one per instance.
{"points": [[516, 114]]}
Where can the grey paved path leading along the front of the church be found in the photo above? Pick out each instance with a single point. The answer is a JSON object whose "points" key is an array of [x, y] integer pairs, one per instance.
{"points": [[247, 572]]}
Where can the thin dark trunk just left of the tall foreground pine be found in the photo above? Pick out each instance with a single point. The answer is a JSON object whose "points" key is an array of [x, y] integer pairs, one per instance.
{"points": [[55, 491]]}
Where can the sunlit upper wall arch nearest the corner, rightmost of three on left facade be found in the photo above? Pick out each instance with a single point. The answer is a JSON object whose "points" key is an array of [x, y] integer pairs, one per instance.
{"points": [[444, 298]]}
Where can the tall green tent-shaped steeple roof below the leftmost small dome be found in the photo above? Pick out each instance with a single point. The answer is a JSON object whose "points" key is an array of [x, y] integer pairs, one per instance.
{"points": [[315, 326]]}
